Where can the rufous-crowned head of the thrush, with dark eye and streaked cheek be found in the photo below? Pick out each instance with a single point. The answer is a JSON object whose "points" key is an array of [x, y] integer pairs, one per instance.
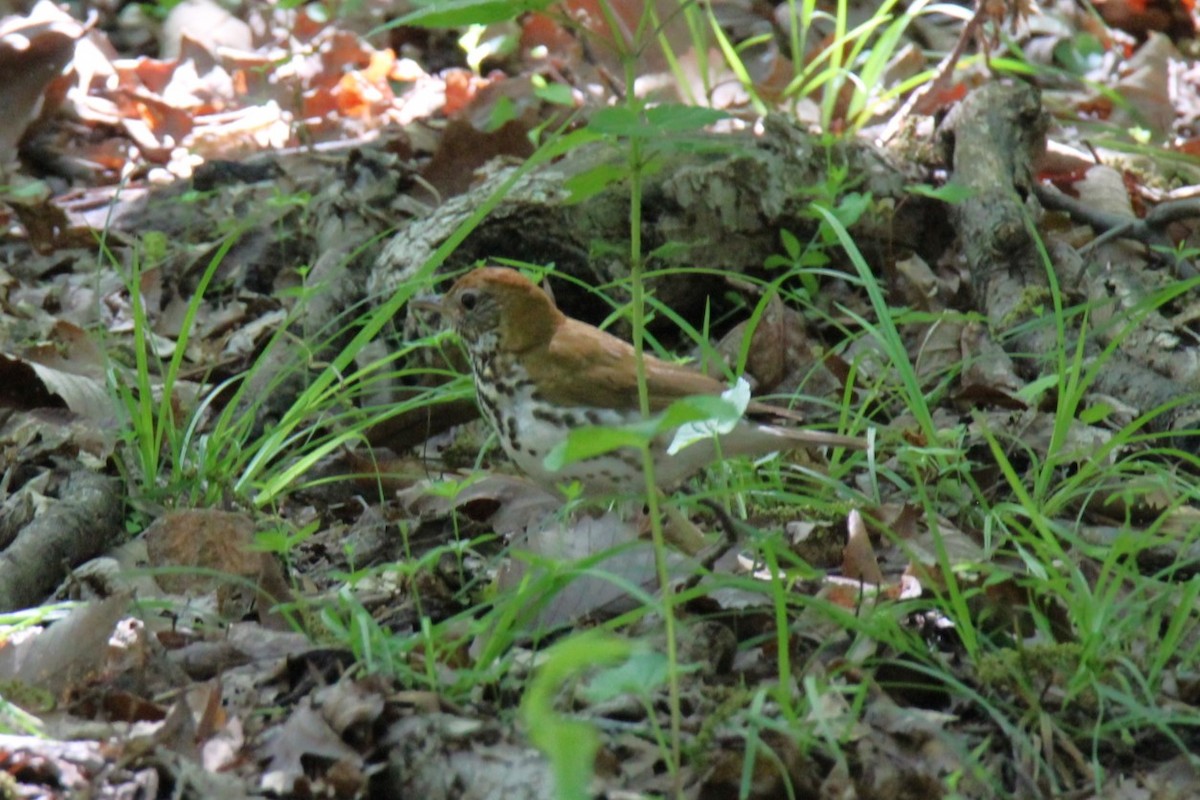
{"points": [[503, 303]]}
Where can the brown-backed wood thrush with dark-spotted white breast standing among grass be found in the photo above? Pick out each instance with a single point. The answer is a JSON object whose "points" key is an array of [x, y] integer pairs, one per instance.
{"points": [[539, 375]]}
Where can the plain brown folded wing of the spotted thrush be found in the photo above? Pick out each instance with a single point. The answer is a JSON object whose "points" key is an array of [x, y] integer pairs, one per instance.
{"points": [[585, 366]]}
